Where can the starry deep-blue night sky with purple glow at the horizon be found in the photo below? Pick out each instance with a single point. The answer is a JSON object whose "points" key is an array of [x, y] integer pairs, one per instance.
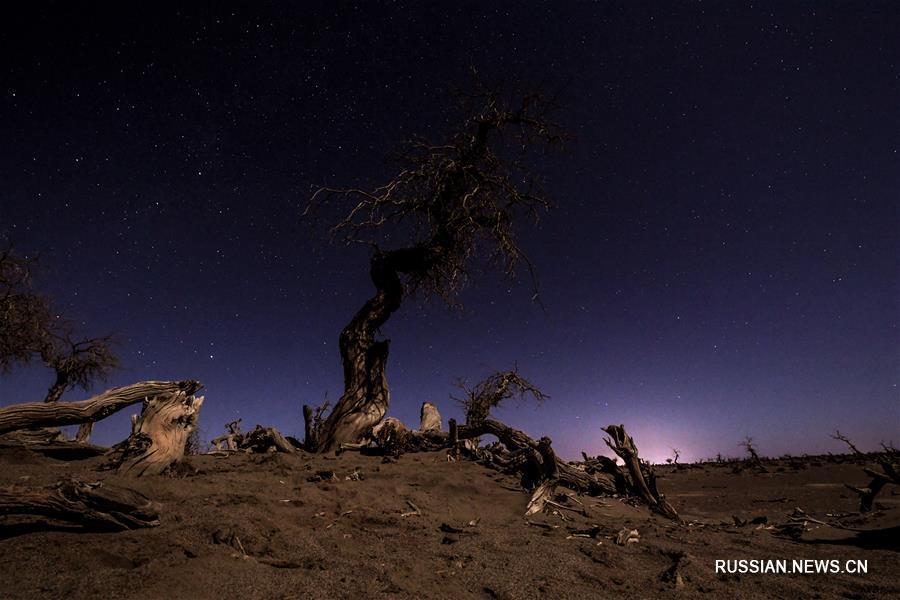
{"points": [[721, 261]]}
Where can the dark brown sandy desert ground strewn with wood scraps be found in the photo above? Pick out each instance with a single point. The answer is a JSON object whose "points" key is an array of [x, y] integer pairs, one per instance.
{"points": [[351, 537]]}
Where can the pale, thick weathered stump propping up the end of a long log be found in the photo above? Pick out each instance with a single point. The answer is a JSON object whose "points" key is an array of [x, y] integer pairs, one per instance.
{"points": [[159, 435]]}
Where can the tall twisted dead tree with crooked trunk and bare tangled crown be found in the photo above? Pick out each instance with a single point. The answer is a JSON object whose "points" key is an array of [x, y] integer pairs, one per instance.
{"points": [[450, 201]]}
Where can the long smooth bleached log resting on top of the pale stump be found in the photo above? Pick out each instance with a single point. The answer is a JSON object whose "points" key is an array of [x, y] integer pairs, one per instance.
{"points": [[57, 414]]}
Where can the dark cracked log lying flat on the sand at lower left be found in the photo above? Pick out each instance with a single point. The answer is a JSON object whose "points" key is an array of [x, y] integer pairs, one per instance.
{"points": [[89, 505]]}
